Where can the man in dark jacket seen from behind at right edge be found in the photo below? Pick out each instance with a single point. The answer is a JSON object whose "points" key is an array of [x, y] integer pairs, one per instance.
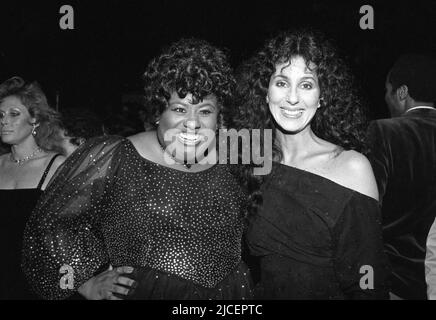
{"points": [[404, 162]]}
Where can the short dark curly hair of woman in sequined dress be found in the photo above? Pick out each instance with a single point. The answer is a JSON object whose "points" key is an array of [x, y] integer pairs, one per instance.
{"points": [[189, 66]]}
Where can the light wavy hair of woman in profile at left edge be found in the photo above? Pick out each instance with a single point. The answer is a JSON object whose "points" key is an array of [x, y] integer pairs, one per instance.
{"points": [[34, 99]]}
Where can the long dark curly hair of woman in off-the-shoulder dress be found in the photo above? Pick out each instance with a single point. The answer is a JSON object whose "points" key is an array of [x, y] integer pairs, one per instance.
{"points": [[340, 120]]}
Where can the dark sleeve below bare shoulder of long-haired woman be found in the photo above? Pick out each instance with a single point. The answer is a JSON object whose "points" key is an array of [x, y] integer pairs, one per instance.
{"points": [[360, 262]]}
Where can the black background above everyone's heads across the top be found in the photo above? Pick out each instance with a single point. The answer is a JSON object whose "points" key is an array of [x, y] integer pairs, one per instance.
{"points": [[103, 58]]}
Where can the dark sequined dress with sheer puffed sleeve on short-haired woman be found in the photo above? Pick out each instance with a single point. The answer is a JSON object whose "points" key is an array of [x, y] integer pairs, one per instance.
{"points": [[108, 205]]}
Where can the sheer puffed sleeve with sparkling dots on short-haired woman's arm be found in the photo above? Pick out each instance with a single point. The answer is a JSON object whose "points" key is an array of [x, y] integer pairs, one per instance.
{"points": [[63, 230]]}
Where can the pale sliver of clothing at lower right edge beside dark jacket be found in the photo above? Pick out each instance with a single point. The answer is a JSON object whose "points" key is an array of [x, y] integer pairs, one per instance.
{"points": [[430, 263]]}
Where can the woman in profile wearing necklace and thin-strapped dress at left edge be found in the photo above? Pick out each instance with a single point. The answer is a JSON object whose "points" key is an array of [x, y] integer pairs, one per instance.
{"points": [[30, 128]]}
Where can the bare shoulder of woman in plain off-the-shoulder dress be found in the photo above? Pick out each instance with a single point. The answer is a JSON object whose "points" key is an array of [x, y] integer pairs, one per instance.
{"points": [[356, 173]]}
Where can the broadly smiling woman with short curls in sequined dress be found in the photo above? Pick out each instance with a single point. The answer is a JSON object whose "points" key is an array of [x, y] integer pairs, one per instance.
{"points": [[146, 202]]}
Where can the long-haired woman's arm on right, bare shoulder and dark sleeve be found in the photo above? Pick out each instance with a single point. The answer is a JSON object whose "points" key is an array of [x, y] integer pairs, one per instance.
{"points": [[361, 264]]}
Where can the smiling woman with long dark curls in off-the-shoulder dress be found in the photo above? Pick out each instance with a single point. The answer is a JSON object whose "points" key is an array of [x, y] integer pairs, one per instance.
{"points": [[315, 219]]}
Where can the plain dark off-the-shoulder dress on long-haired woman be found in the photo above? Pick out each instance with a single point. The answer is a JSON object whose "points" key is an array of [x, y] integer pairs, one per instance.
{"points": [[313, 236]]}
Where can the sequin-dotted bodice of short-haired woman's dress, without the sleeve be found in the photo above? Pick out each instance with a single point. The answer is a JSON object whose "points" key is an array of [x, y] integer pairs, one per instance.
{"points": [[188, 224]]}
